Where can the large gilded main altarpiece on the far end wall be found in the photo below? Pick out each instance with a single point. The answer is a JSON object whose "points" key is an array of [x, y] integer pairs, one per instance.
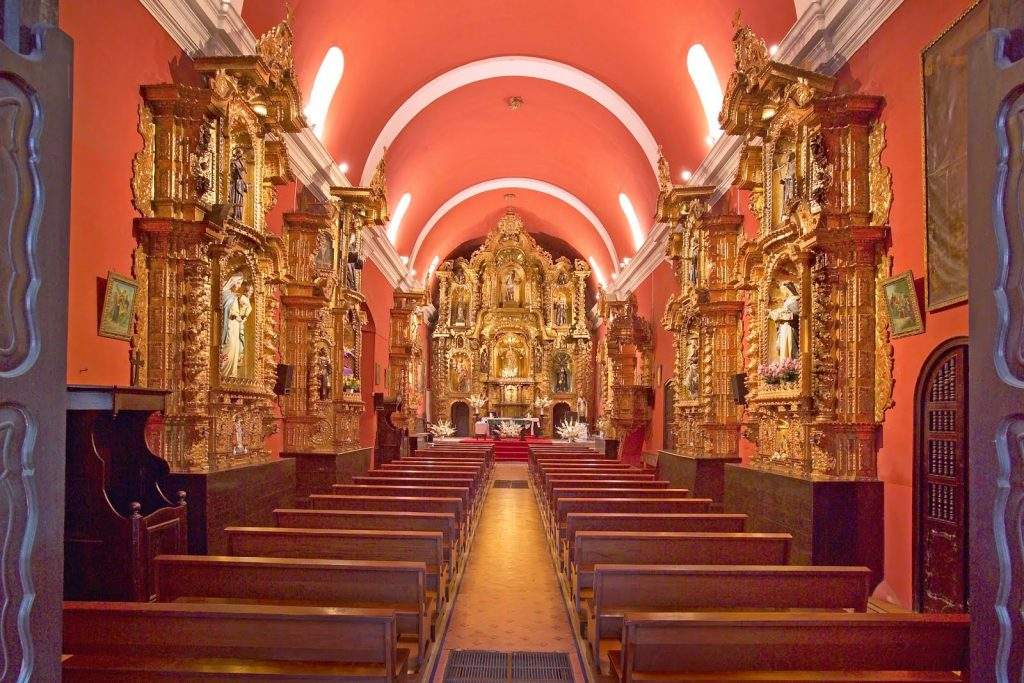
{"points": [[513, 330]]}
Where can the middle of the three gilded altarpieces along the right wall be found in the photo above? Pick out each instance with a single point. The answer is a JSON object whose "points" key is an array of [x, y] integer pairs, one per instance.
{"points": [[706, 319]]}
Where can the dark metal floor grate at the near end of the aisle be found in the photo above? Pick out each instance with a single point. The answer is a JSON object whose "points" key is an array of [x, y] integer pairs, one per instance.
{"points": [[493, 667]]}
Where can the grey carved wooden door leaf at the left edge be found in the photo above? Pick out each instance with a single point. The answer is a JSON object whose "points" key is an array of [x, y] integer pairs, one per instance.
{"points": [[35, 155]]}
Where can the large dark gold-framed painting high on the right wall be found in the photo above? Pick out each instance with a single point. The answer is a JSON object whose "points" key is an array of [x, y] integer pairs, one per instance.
{"points": [[945, 73]]}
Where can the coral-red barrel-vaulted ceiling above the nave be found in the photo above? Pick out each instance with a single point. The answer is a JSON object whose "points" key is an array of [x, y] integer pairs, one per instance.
{"points": [[564, 135]]}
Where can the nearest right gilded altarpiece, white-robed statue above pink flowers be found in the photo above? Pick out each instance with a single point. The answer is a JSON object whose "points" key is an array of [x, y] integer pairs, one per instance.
{"points": [[819, 361]]}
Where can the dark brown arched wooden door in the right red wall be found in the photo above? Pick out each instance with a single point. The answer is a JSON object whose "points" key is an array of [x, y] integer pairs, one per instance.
{"points": [[941, 484]]}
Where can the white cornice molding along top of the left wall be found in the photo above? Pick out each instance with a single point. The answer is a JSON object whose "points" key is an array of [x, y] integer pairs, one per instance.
{"points": [[211, 28]]}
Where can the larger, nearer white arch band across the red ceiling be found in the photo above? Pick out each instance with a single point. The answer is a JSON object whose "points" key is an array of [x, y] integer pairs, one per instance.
{"points": [[510, 66]]}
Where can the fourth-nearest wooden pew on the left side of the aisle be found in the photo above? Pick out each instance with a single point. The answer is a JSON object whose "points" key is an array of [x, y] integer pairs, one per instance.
{"points": [[386, 521]]}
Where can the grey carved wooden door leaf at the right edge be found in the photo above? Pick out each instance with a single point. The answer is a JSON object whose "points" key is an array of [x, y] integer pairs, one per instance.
{"points": [[996, 252]]}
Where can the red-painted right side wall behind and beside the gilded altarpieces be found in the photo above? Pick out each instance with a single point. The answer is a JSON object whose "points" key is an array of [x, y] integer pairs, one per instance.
{"points": [[888, 65]]}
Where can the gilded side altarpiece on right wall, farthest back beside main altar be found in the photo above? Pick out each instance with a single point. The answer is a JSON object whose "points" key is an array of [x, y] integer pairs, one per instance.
{"points": [[625, 361]]}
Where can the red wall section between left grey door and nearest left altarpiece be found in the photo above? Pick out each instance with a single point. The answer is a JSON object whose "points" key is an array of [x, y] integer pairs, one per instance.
{"points": [[105, 140]]}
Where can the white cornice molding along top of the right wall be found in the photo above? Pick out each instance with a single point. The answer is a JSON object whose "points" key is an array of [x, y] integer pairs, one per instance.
{"points": [[824, 38]]}
